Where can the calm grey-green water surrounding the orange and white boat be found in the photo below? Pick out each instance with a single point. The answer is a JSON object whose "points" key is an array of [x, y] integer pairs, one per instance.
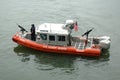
{"points": [[20, 63]]}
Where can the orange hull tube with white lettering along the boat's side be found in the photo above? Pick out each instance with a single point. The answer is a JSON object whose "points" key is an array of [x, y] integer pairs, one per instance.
{"points": [[93, 52]]}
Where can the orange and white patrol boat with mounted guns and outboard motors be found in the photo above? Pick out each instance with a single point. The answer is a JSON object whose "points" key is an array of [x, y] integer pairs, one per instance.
{"points": [[57, 38]]}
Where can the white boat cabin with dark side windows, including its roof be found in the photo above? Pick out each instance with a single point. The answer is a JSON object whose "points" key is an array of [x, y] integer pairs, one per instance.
{"points": [[53, 34]]}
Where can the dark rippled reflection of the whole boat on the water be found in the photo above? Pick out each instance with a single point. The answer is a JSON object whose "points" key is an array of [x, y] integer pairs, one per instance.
{"points": [[46, 61]]}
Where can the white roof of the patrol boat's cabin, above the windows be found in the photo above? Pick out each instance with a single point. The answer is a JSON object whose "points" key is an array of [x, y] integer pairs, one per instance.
{"points": [[52, 28]]}
